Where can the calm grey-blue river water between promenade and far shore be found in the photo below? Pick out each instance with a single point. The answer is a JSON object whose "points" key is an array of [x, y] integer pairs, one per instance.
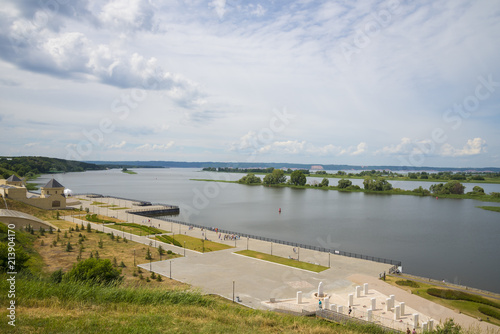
{"points": [[439, 238]]}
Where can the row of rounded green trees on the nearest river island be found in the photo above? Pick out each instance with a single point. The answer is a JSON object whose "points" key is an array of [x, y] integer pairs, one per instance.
{"points": [[298, 178]]}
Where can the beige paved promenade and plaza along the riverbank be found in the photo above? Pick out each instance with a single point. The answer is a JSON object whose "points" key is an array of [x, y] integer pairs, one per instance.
{"points": [[255, 282]]}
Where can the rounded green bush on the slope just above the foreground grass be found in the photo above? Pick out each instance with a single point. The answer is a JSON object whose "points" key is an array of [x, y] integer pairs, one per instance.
{"points": [[95, 271]]}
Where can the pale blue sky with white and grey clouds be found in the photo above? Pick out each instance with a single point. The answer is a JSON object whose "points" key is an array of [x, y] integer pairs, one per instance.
{"points": [[404, 83]]}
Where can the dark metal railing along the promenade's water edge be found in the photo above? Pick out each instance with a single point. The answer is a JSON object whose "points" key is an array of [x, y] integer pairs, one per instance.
{"points": [[256, 237]]}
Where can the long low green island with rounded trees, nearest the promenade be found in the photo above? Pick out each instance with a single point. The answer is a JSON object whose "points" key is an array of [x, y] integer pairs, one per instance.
{"points": [[371, 185]]}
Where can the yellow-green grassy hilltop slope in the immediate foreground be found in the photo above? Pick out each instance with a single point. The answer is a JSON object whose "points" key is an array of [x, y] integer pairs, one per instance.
{"points": [[65, 308]]}
